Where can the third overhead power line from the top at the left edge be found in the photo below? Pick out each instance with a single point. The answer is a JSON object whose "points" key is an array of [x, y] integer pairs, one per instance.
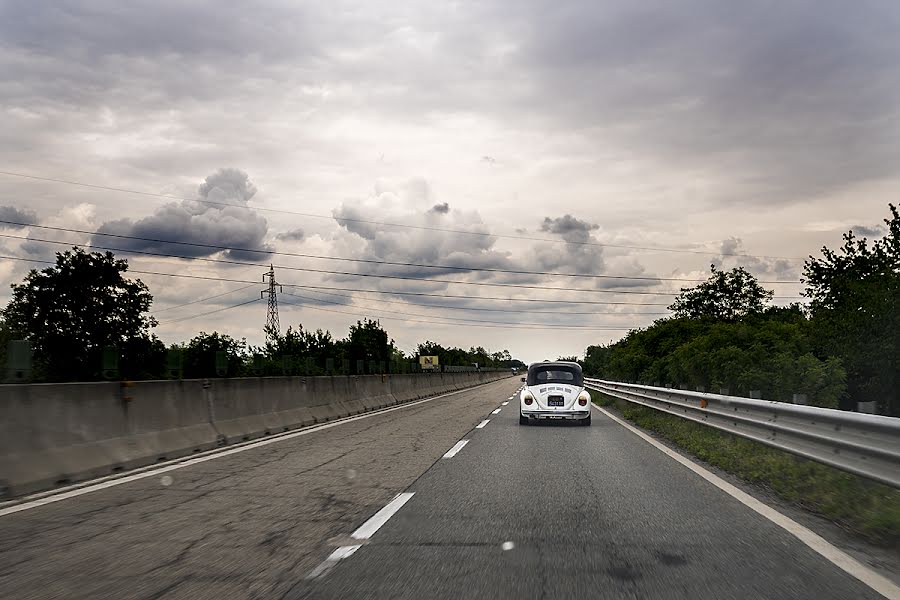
{"points": [[350, 273]]}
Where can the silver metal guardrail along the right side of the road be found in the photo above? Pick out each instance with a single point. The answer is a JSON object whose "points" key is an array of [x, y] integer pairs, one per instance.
{"points": [[866, 445]]}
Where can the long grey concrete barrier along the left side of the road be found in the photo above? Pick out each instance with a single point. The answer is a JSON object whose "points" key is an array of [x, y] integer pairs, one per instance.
{"points": [[54, 434]]}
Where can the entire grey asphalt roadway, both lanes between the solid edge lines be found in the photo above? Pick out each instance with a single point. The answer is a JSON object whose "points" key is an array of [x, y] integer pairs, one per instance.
{"points": [[487, 509]]}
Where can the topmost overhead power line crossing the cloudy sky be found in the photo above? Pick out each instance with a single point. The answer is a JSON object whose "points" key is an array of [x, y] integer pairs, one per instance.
{"points": [[386, 224]]}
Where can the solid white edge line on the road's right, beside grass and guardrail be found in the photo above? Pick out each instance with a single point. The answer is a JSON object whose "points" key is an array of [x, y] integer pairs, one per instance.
{"points": [[818, 544]]}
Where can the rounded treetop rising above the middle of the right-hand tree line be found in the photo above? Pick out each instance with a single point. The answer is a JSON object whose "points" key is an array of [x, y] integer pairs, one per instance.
{"points": [[725, 296]]}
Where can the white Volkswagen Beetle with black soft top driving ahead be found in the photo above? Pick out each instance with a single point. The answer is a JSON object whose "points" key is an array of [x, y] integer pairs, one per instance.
{"points": [[554, 390]]}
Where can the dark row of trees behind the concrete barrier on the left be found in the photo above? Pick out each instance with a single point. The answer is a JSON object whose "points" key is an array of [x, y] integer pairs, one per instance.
{"points": [[84, 320]]}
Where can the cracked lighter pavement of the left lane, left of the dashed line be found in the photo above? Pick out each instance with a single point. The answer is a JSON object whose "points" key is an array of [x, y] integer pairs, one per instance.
{"points": [[246, 525]]}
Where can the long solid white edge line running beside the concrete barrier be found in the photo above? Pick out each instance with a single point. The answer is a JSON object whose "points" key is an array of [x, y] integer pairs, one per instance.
{"points": [[108, 482]]}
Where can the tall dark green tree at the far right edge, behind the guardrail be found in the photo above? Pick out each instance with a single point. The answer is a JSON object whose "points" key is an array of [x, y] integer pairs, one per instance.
{"points": [[855, 308]]}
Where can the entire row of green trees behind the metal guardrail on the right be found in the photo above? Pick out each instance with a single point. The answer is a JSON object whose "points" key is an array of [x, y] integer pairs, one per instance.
{"points": [[839, 349]]}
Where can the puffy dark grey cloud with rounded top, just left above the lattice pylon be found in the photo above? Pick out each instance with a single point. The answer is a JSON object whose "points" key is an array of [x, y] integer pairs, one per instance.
{"points": [[196, 222]]}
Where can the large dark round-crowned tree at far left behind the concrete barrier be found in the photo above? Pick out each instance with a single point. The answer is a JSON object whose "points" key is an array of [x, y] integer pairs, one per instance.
{"points": [[72, 310]]}
